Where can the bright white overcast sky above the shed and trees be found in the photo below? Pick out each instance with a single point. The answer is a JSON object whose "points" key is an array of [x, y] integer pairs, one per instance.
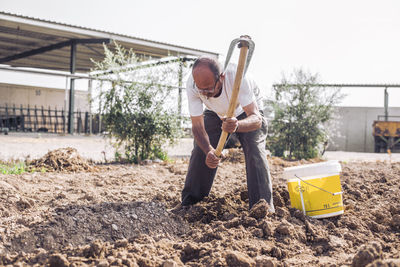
{"points": [[343, 41]]}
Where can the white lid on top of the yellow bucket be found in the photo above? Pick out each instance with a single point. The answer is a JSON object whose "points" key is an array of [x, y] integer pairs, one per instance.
{"points": [[314, 169]]}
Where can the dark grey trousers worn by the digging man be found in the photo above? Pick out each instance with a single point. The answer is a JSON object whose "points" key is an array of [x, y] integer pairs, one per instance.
{"points": [[199, 178]]}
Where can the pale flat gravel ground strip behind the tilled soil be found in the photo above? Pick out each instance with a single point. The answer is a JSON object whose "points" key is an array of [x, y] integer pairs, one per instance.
{"points": [[18, 146]]}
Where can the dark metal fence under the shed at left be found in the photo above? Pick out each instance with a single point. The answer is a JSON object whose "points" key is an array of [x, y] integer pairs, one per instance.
{"points": [[40, 119]]}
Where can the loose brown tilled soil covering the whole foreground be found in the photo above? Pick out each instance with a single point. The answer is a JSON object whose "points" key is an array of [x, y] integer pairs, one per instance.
{"points": [[77, 214]]}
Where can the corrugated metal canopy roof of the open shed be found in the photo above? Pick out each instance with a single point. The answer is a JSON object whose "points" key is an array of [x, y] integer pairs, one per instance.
{"points": [[36, 43]]}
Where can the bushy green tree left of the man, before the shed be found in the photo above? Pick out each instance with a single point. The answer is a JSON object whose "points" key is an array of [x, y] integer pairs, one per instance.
{"points": [[135, 103]]}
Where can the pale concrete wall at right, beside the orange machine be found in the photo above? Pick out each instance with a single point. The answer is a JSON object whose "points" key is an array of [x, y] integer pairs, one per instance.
{"points": [[354, 128]]}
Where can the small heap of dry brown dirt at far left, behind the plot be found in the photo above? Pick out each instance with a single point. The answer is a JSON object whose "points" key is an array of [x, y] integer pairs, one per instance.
{"points": [[62, 159]]}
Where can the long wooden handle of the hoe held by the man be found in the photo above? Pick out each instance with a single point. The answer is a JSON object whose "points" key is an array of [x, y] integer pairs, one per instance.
{"points": [[232, 103]]}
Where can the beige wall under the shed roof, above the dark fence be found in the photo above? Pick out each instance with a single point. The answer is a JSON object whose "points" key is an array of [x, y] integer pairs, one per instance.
{"points": [[11, 94]]}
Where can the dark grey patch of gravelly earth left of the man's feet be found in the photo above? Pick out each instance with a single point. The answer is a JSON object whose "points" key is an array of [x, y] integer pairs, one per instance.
{"points": [[80, 225]]}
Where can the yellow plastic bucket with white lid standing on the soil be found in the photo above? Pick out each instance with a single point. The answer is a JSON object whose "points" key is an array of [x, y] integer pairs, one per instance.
{"points": [[315, 188]]}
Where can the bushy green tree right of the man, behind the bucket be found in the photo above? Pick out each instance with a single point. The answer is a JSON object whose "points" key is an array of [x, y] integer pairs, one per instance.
{"points": [[303, 112]]}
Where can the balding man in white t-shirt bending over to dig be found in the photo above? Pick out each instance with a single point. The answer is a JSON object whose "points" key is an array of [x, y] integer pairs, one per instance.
{"points": [[211, 86]]}
